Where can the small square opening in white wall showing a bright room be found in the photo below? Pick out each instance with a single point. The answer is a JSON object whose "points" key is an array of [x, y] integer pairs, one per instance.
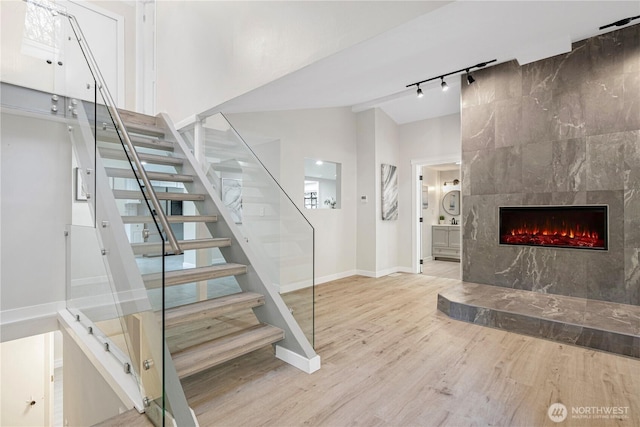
{"points": [[322, 184]]}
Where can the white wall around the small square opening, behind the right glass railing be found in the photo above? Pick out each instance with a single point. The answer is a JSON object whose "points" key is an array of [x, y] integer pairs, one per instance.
{"points": [[324, 134]]}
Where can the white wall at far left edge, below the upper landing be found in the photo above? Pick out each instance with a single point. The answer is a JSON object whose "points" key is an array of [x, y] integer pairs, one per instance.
{"points": [[36, 189]]}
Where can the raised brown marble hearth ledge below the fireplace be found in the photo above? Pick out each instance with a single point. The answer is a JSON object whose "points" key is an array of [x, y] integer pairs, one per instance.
{"points": [[589, 323]]}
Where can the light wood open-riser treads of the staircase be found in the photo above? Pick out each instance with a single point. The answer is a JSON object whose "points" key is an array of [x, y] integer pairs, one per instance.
{"points": [[206, 333]]}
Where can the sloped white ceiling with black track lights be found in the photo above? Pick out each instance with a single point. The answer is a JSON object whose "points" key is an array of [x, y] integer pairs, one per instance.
{"points": [[375, 73]]}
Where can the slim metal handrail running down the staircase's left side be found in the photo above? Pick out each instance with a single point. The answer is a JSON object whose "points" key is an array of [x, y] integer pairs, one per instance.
{"points": [[119, 123]]}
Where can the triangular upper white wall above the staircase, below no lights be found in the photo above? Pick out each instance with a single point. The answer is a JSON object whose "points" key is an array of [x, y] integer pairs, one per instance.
{"points": [[211, 51]]}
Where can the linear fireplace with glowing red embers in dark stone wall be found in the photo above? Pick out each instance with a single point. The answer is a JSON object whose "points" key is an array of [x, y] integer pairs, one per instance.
{"points": [[577, 227]]}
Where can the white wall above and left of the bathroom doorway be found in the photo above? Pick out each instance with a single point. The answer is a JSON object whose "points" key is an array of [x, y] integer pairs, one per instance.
{"points": [[432, 141]]}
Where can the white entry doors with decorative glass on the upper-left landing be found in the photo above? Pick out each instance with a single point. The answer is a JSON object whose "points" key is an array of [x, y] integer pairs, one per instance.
{"points": [[40, 51]]}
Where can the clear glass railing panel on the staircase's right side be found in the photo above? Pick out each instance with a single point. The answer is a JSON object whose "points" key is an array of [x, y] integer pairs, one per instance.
{"points": [[265, 216]]}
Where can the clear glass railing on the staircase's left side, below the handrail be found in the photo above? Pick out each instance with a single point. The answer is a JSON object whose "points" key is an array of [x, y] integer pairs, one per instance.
{"points": [[106, 296]]}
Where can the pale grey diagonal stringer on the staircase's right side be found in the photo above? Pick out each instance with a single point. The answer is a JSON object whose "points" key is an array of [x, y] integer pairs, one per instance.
{"points": [[294, 348]]}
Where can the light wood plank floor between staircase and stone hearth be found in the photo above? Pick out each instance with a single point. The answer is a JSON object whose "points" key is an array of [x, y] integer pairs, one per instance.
{"points": [[390, 358]]}
